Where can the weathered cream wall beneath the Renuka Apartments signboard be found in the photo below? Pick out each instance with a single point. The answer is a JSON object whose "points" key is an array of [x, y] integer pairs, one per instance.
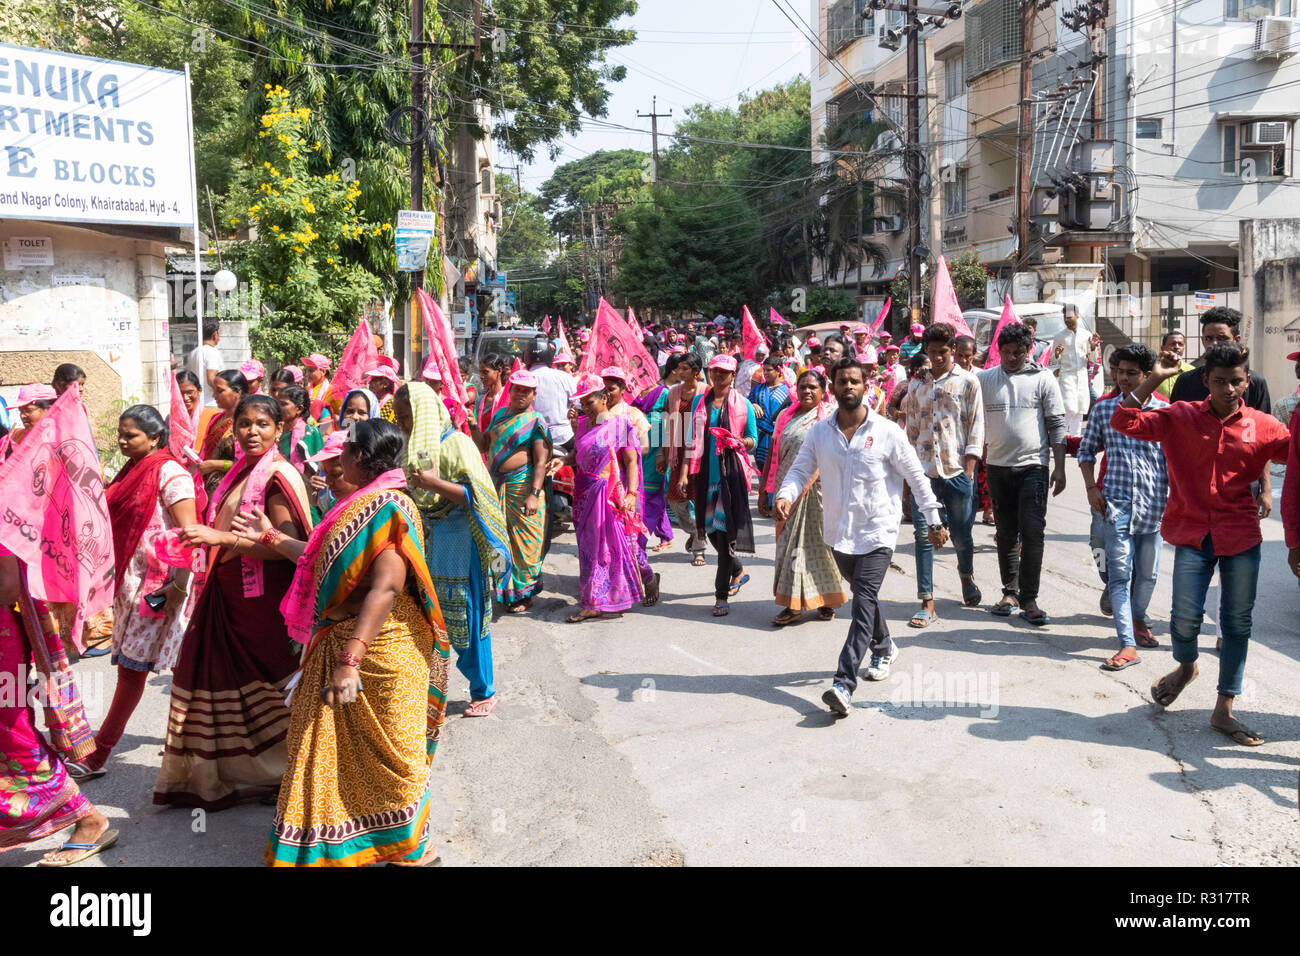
{"points": [[102, 304]]}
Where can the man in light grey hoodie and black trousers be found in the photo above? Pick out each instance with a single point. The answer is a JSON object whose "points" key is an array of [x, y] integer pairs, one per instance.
{"points": [[1024, 417]]}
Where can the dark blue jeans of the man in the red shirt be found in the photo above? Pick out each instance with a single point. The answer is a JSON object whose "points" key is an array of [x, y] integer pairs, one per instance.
{"points": [[1238, 578]]}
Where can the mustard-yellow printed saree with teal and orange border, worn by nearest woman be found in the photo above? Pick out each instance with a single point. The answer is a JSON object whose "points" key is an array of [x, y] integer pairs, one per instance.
{"points": [[357, 778]]}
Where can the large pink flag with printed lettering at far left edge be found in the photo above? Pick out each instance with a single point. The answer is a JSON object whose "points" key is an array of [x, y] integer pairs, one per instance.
{"points": [[55, 516]]}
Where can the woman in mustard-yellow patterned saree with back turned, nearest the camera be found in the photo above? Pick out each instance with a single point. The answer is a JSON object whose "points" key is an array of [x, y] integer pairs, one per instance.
{"points": [[370, 700]]}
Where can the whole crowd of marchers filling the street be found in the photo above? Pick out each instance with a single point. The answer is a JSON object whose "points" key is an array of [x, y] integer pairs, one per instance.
{"points": [[309, 565]]}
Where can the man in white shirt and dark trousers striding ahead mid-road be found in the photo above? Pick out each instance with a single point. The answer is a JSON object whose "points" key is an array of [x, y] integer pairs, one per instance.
{"points": [[864, 461]]}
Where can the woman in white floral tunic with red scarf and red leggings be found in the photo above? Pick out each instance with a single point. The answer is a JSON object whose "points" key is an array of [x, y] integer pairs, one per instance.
{"points": [[153, 495]]}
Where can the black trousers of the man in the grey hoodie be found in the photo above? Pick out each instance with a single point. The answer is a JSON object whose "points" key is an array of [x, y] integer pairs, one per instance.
{"points": [[1021, 513]]}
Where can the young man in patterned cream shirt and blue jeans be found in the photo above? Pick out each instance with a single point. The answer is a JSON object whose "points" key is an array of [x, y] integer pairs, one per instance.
{"points": [[944, 410]]}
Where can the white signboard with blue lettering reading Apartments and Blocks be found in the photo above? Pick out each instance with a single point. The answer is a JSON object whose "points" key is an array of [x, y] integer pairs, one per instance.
{"points": [[93, 141]]}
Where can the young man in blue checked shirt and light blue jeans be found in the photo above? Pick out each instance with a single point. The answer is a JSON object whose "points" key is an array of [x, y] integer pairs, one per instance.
{"points": [[1128, 505]]}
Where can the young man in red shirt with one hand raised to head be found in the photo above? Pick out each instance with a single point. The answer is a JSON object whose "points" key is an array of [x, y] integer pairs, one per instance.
{"points": [[1215, 449]]}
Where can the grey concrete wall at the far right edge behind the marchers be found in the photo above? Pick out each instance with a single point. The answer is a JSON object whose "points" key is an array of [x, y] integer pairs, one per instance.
{"points": [[1271, 299]]}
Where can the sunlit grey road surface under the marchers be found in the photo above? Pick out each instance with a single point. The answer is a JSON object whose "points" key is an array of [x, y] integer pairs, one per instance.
{"points": [[669, 737]]}
